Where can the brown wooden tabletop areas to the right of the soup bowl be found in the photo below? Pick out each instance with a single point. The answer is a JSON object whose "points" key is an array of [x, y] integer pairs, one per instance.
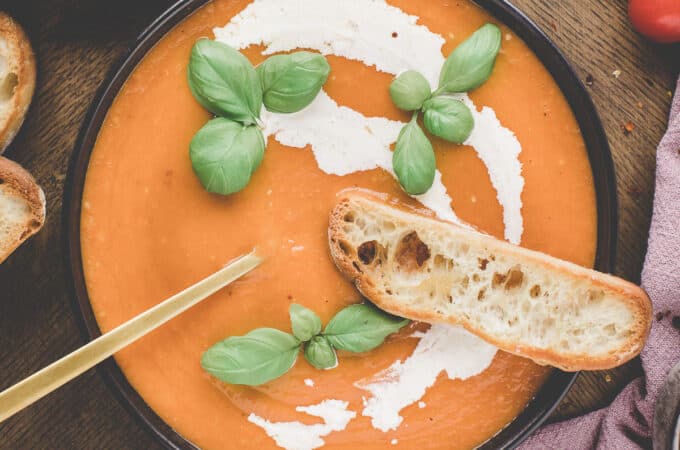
{"points": [[598, 40]]}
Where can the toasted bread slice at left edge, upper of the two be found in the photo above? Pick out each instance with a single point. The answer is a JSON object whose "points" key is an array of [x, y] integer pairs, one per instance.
{"points": [[17, 78]]}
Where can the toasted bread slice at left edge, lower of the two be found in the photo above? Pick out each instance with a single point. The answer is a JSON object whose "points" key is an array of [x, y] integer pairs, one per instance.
{"points": [[22, 206]]}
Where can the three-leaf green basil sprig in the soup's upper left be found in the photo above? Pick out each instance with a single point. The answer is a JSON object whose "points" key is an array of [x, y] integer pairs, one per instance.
{"points": [[227, 150]]}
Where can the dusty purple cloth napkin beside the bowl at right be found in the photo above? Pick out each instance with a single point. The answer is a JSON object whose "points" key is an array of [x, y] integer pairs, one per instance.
{"points": [[627, 422]]}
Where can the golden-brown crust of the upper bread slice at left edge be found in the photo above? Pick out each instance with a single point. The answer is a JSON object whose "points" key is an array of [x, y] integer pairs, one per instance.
{"points": [[21, 62]]}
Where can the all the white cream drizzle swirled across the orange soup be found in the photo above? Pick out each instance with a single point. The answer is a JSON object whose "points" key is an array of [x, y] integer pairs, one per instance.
{"points": [[345, 141]]}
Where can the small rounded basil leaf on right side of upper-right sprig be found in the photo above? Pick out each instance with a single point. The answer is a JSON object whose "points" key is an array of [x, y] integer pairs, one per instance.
{"points": [[448, 118]]}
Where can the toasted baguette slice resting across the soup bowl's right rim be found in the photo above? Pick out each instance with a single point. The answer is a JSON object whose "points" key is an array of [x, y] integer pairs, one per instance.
{"points": [[522, 301]]}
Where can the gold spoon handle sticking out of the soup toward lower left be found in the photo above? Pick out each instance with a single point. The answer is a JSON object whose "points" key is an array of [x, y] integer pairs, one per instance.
{"points": [[70, 366]]}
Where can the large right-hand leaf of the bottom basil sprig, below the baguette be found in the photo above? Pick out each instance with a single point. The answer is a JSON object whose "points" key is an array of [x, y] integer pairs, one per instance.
{"points": [[361, 327]]}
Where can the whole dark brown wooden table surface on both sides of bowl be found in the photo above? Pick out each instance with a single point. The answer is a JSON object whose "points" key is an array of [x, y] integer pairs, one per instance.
{"points": [[78, 41]]}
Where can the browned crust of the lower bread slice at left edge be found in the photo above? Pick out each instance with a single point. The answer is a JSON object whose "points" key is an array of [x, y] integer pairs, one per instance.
{"points": [[16, 181]]}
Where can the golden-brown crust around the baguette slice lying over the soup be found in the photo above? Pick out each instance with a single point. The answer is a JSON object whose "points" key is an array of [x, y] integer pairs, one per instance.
{"points": [[628, 293]]}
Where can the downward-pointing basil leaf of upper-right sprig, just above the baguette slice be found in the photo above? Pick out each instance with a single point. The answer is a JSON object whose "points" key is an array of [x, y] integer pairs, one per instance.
{"points": [[413, 159]]}
